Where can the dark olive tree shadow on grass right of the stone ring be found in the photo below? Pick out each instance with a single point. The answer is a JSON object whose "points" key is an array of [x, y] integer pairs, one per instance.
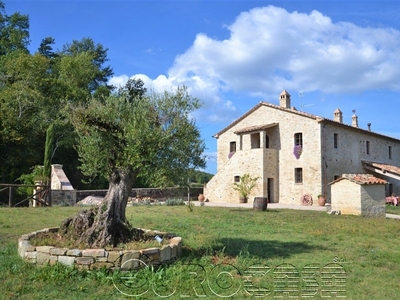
{"points": [[234, 247]]}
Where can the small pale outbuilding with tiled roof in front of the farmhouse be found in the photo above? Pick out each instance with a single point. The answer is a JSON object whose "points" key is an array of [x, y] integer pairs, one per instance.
{"points": [[359, 194]]}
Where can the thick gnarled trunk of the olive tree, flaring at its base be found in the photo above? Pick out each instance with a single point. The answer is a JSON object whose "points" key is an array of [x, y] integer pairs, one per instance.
{"points": [[105, 225]]}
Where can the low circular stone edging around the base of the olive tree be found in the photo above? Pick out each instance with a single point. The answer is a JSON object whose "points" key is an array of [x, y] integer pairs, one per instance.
{"points": [[90, 259]]}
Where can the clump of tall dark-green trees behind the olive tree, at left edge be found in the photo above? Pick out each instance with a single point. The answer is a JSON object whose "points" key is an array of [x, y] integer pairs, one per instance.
{"points": [[35, 89]]}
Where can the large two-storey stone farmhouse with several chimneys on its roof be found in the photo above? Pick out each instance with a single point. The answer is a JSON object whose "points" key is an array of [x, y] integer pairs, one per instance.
{"points": [[296, 154]]}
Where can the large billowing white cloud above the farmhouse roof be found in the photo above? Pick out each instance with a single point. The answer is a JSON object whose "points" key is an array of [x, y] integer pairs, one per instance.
{"points": [[271, 49]]}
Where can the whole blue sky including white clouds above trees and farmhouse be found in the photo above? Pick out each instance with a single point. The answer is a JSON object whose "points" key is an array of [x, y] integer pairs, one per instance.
{"points": [[233, 54]]}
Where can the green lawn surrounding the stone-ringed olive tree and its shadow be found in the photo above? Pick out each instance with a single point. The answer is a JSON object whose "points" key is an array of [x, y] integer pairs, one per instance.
{"points": [[301, 244]]}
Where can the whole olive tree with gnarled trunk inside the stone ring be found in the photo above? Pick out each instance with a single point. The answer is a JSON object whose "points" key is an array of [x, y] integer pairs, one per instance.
{"points": [[123, 138]]}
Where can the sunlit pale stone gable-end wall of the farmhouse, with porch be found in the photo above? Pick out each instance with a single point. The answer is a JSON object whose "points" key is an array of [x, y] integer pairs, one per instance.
{"points": [[276, 162]]}
